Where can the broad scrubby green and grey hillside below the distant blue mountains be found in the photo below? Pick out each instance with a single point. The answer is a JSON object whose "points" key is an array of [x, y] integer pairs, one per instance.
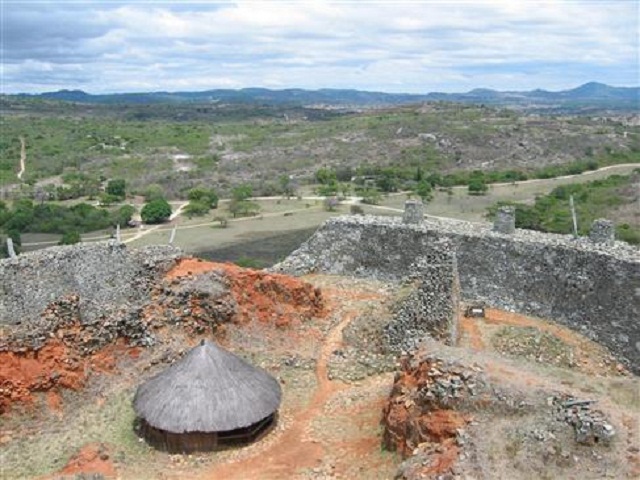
{"points": [[177, 147]]}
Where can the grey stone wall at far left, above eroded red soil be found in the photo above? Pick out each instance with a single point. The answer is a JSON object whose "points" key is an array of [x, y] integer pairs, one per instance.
{"points": [[105, 277]]}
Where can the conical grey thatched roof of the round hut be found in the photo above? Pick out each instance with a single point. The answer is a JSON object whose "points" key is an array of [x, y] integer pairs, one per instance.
{"points": [[208, 390]]}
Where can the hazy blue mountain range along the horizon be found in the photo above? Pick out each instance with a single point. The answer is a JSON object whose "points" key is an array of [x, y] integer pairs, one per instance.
{"points": [[591, 95]]}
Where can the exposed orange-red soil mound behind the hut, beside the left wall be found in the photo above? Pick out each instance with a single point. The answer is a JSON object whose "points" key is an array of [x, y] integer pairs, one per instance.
{"points": [[268, 298]]}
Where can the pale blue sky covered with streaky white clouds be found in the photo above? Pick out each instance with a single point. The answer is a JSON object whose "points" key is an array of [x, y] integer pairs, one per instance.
{"points": [[107, 46]]}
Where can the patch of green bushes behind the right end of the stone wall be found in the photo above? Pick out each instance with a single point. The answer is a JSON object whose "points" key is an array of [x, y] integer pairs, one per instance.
{"points": [[596, 199]]}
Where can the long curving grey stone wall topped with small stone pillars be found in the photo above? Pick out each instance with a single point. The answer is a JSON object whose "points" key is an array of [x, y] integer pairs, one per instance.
{"points": [[593, 288]]}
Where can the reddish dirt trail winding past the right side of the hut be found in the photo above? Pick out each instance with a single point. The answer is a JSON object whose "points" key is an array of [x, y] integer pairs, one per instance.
{"points": [[294, 451]]}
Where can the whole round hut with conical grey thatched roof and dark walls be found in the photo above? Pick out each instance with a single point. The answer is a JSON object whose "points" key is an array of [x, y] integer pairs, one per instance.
{"points": [[208, 399]]}
